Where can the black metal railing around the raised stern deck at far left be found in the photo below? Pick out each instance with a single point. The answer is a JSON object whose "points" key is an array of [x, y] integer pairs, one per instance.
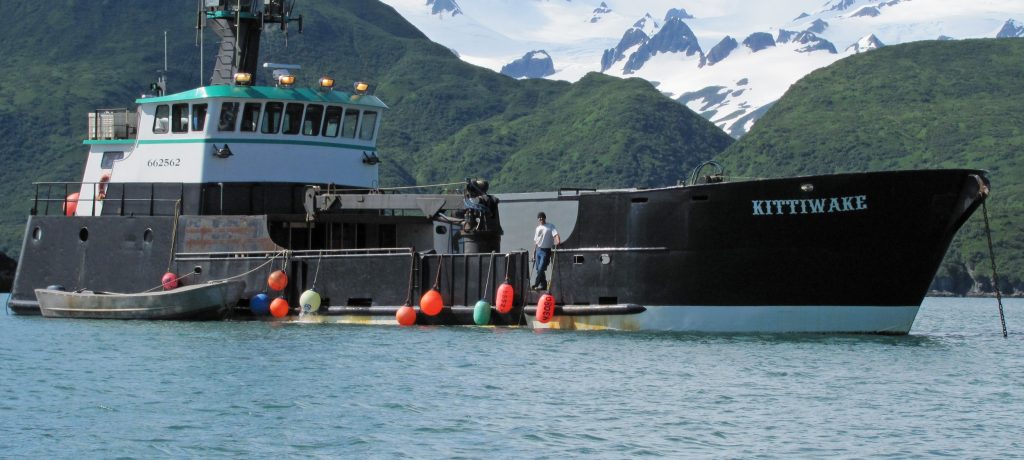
{"points": [[48, 201]]}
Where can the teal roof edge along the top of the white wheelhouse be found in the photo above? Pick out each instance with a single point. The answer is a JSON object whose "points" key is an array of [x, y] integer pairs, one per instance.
{"points": [[268, 93]]}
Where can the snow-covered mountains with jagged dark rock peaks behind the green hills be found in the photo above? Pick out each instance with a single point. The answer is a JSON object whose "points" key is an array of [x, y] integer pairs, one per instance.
{"points": [[584, 36]]}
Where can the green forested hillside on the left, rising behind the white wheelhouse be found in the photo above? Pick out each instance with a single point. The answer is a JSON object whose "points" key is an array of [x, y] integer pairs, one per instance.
{"points": [[449, 120]]}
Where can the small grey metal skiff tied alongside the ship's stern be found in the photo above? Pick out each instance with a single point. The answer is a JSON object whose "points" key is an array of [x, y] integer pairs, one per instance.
{"points": [[204, 302]]}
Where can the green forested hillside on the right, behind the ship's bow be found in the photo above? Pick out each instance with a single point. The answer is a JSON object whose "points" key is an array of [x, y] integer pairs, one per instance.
{"points": [[927, 105]]}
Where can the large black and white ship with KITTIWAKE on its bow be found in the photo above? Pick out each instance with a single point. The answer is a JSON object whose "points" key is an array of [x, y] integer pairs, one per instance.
{"points": [[235, 181]]}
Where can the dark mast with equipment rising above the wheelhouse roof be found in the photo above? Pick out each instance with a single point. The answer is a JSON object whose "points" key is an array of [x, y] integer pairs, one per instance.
{"points": [[240, 24]]}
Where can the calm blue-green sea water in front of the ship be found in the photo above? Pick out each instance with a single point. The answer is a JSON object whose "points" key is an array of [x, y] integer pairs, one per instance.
{"points": [[105, 389]]}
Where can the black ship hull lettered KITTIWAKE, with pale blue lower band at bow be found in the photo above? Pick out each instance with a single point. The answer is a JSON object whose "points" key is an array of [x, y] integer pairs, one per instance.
{"points": [[831, 254]]}
